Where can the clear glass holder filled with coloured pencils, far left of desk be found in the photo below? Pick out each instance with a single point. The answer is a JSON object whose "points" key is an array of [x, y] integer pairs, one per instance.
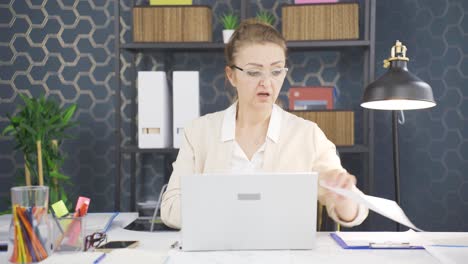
{"points": [[29, 236]]}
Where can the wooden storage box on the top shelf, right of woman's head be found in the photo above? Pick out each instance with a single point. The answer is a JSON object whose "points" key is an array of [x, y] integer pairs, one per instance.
{"points": [[321, 21]]}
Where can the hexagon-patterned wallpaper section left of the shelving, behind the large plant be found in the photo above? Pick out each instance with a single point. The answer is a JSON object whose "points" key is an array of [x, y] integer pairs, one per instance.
{"points": [[63, 49]]}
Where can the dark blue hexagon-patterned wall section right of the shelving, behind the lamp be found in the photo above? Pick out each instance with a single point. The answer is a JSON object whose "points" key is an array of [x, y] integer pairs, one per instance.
{"points": [[434, 142]]}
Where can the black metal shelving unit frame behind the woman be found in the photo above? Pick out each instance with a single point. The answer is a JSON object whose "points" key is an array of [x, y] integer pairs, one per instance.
{"points": [[367, 43]]}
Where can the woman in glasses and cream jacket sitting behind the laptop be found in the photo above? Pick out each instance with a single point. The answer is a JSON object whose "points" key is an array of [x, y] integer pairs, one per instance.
{"points": [[256, 135]]}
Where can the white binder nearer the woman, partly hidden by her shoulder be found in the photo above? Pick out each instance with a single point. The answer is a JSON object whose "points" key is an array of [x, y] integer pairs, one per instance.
{"points": [[186, 96]]}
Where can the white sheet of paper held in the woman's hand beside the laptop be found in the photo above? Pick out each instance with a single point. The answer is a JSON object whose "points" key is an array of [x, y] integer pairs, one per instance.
{"points": [[387, 208]]}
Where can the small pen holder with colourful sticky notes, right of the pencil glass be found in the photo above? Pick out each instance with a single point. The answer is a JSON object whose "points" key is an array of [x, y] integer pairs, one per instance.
{"points": [[69, 233]]}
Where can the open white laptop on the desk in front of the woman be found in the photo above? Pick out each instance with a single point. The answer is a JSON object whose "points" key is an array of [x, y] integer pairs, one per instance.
{"points": [[248, 211]]}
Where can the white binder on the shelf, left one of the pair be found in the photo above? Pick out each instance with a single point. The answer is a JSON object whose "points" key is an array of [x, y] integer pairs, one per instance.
{"points": [[154, 127]]}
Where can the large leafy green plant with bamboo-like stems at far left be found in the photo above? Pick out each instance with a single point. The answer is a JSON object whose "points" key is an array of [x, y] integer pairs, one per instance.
{"points": [[38, 129]]}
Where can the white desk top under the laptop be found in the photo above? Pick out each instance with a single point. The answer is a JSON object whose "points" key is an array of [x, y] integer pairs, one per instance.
{"points": [[327, 250]]}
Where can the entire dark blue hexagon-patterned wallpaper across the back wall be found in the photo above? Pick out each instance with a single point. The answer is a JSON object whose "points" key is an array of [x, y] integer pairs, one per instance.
{"points": [[65, 49]]}
